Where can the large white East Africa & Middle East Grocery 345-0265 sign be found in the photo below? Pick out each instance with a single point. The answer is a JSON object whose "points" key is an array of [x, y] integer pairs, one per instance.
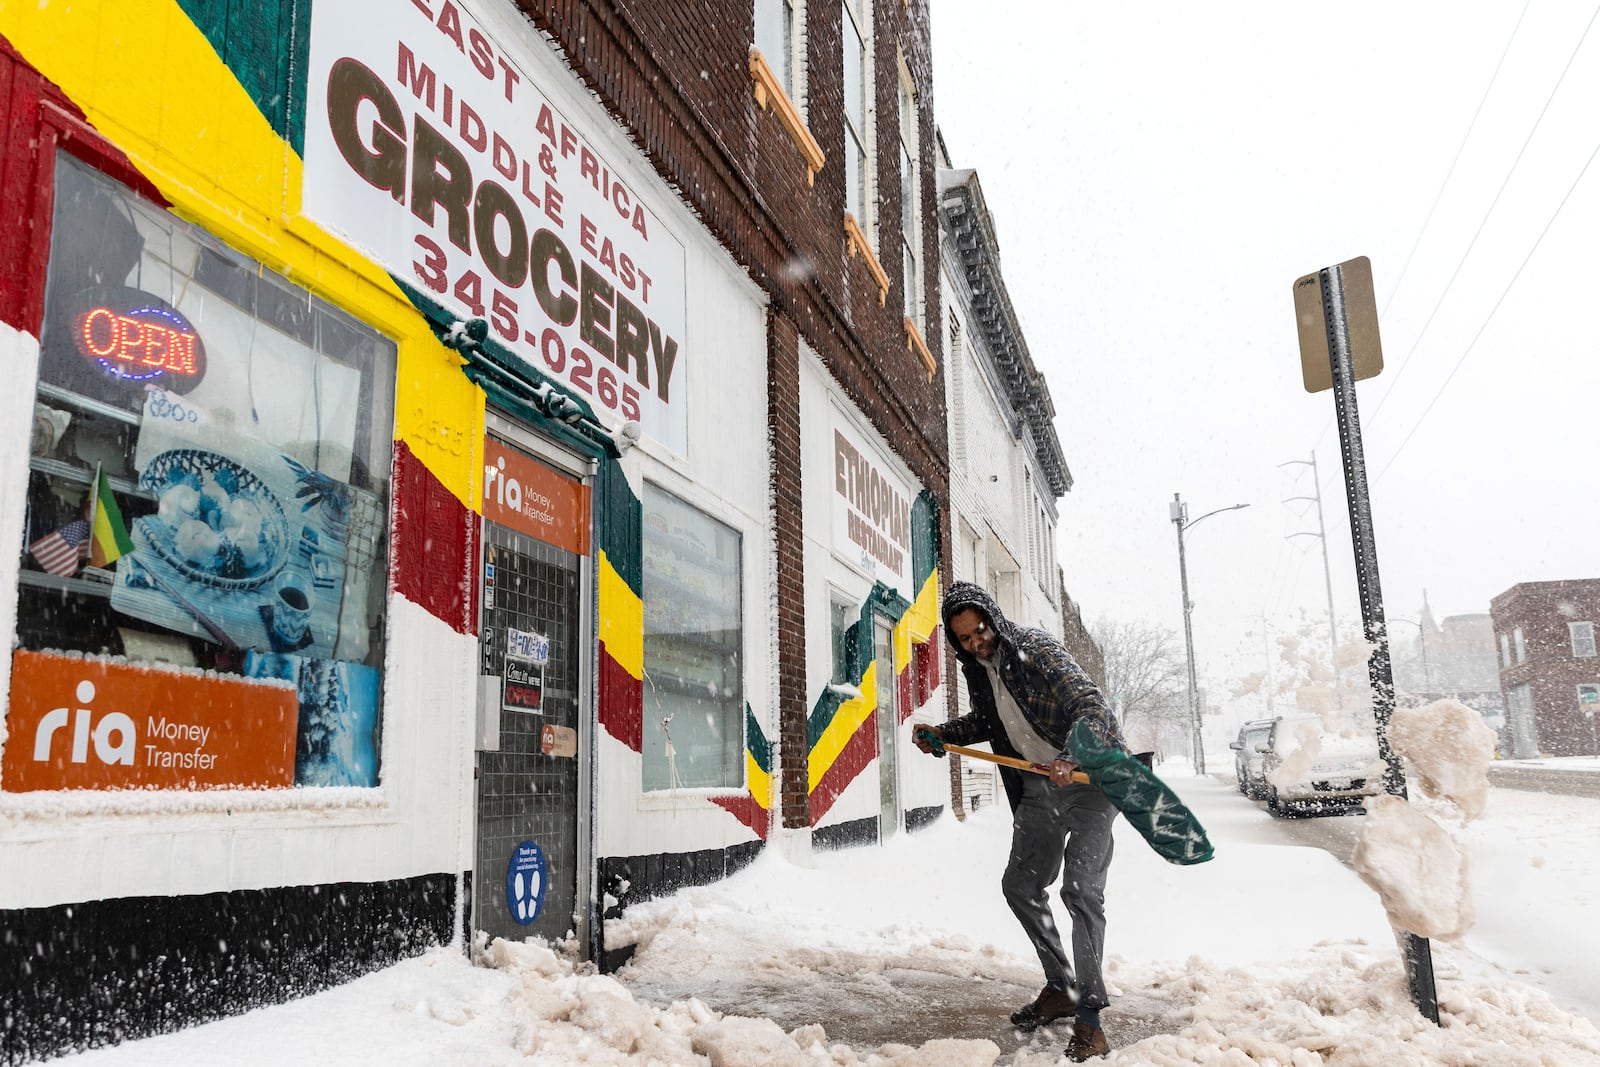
{"points": [[431, 145]]}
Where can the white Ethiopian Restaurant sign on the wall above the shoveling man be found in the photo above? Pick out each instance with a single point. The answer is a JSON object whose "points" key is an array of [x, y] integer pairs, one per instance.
{"points": [[871, 513]]}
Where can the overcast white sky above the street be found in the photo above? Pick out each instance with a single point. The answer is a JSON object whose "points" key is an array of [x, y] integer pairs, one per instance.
{"points": [[1162, 174]]}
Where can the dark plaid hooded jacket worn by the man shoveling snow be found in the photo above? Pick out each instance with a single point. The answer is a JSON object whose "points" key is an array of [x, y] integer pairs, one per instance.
{"points": [[1046, 682]]}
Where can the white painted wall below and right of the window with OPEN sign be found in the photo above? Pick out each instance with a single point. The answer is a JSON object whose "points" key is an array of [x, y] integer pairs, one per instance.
{"points": [[66, 847]]}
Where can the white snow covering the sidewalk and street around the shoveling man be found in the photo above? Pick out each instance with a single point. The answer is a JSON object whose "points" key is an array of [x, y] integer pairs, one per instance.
{"points": [[1270, 954]]}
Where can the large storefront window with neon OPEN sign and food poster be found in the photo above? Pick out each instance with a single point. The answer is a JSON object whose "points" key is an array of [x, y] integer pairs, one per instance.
{"points": [[209, 497]]}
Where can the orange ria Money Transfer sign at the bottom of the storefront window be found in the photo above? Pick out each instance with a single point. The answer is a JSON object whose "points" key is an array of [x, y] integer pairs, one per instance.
{"points": [[87, 724]]}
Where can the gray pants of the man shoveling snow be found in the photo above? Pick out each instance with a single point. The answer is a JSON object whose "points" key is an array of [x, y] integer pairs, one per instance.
{"points": [[1054, 828]]}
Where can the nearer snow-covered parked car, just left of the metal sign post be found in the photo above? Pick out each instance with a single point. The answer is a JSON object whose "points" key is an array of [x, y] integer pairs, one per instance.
{"points": [[1310, 769]]}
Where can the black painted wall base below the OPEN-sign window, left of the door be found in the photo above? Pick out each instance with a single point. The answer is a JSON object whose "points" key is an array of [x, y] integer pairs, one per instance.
{"points": [[79, 977]]}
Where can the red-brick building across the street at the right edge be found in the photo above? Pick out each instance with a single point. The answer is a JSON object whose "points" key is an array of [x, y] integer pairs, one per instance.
{"points": [[1550, 671]]}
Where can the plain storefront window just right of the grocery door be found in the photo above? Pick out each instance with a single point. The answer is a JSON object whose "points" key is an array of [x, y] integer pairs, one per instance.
{"points": [[694, 637]]}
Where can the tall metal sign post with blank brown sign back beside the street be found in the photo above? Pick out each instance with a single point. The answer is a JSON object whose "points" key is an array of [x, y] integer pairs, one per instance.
{"points": [[1350, 313]]}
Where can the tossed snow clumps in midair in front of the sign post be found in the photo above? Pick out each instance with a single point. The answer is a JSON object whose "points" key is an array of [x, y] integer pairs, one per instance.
{"points": [[1414, 863]]}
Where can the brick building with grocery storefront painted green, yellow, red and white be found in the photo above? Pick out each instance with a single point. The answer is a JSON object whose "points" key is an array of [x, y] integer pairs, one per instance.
{"points": [[482, 458]]}
